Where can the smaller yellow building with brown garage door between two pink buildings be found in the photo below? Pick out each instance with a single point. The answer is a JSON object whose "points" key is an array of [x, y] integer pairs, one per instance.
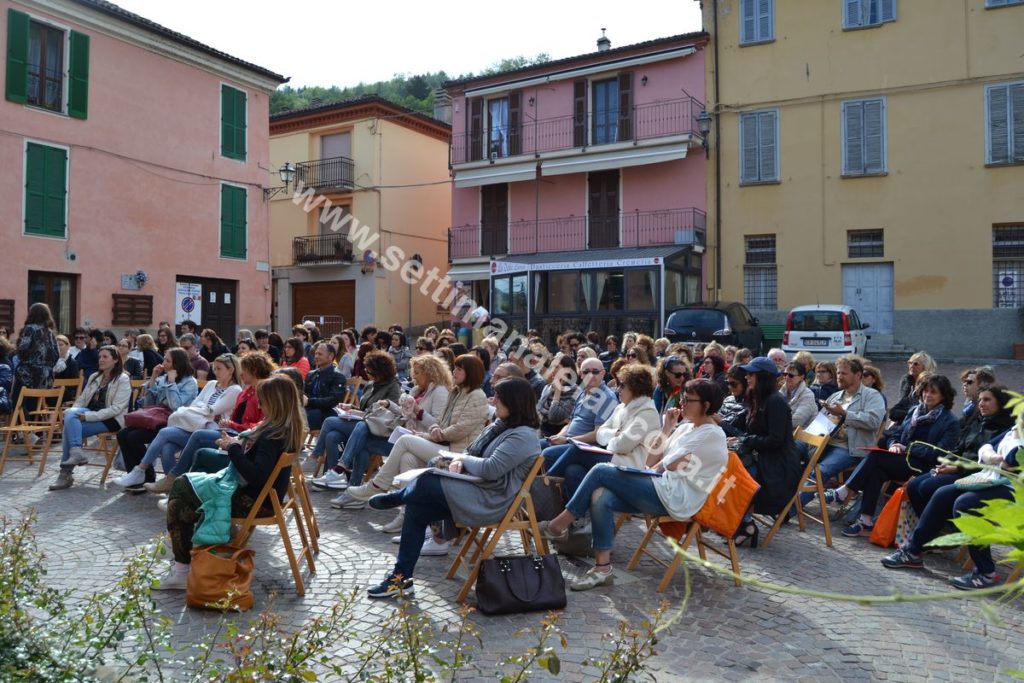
{"points": [[369, 179]]}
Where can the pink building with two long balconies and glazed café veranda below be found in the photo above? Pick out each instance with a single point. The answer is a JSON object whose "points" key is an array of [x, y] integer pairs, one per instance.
{"points": [[579, 198]]}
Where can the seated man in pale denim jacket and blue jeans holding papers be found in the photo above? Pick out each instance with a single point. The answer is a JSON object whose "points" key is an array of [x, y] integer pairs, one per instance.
{"points": [[858, 411]]}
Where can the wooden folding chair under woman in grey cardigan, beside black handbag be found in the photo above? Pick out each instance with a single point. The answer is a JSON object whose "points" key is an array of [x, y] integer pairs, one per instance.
{"points": [[521, 517]]}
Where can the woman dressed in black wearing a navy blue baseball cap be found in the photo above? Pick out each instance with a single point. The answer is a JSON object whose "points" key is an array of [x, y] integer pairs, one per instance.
{"points": [[767, 449]]}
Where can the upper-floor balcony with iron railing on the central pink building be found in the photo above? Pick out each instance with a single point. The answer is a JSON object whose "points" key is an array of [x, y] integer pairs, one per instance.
{"points": [[533, 138]]}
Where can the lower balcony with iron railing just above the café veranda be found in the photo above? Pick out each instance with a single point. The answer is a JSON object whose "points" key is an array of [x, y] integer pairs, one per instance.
{"points": [[573, 234]]}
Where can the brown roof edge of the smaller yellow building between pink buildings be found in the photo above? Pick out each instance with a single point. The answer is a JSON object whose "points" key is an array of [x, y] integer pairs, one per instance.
{"points": [[360, 108]]}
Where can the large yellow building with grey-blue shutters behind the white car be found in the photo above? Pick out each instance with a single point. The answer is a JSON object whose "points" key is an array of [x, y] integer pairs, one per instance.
{"points": [[871, 153]]}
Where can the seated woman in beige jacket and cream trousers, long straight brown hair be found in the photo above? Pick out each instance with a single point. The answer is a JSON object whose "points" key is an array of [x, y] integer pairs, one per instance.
{"points": [[463, 419]]}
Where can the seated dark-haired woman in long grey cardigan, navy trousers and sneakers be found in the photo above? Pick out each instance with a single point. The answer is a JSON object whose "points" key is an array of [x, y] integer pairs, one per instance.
{"points": [[502, 457]]}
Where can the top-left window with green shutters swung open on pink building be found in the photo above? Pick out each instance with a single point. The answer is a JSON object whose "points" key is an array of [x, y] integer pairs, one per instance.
{"points": [[48, 67]]}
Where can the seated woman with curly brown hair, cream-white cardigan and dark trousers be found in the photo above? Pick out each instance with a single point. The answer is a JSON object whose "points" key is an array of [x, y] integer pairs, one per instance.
{"points": [[622, 436]]}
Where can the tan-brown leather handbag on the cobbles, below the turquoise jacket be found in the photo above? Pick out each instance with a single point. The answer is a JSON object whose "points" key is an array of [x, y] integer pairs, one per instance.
{"points": [[221, 578]]}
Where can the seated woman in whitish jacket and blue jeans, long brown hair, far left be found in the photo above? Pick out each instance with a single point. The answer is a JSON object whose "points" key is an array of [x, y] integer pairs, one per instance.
{"points": [[101, 408]]}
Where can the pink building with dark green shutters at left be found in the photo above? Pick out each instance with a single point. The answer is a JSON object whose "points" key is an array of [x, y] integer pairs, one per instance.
{"points": [[137, 162]]}
